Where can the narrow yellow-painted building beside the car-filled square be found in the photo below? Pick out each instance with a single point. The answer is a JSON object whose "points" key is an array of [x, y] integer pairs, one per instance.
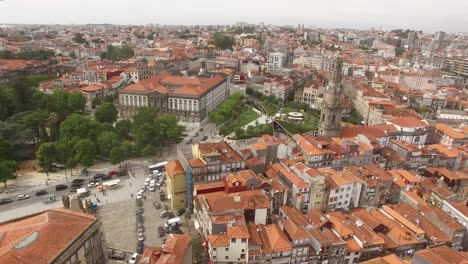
{"points": [[176, 187]]}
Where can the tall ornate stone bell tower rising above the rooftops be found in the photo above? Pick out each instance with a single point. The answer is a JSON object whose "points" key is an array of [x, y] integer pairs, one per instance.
{"points": [[330, 118]]}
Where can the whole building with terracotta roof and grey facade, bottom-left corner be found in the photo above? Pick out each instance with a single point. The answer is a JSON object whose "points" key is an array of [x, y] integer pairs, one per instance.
{"points": [[58, 236]]}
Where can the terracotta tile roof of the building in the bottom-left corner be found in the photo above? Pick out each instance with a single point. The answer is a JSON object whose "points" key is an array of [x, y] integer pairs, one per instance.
{"points": [[56, 230]]}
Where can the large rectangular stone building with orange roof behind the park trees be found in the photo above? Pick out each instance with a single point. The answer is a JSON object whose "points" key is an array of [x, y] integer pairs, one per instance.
{"points": [[191, 99]]}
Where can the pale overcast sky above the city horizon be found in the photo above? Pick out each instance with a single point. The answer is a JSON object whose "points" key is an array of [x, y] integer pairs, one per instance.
{"points": [[427, 15]]}
